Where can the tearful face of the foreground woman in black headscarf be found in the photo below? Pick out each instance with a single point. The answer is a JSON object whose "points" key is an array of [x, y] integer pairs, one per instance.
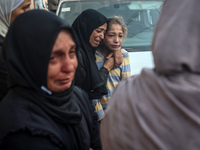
{"points": [[63, 63]]}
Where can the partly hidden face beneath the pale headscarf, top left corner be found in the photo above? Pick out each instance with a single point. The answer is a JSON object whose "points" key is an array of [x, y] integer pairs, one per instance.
{"points": [[25, 6]]}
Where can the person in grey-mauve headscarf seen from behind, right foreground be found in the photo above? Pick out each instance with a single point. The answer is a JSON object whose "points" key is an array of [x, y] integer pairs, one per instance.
{"points": [[159, 109]]}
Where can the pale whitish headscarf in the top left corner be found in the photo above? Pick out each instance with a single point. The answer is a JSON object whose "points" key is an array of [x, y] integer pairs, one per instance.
{"points": [[6, 8]]}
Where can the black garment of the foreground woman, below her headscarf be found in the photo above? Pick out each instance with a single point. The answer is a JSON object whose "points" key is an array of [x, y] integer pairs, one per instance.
{"points": [[28, 121]]}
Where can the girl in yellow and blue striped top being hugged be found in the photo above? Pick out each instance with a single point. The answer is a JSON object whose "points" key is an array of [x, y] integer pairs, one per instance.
{"points": [[116, 31]]}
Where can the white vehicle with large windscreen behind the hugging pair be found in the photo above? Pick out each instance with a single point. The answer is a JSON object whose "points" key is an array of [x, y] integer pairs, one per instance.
{"points": [[140, 16]]}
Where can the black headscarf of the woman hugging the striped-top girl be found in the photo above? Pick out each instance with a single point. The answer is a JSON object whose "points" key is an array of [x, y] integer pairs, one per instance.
{"points": [[84, 25]]}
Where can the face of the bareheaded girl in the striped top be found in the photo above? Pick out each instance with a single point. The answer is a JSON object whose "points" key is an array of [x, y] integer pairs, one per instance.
{"points": [[114, 37]]}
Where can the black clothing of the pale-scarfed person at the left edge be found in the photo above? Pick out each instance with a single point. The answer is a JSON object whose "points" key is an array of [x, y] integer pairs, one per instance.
{"points": [[3, 72]]}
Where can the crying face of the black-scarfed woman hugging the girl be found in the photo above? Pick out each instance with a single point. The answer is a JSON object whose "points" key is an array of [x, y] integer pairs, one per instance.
{"points": [[97, 35]]}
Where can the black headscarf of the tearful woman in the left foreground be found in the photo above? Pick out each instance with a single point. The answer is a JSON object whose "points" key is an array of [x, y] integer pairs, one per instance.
{"points": [[29, 44]]}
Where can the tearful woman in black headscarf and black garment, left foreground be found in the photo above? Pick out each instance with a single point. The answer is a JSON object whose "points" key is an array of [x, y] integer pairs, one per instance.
{"points": [[43, 109]]}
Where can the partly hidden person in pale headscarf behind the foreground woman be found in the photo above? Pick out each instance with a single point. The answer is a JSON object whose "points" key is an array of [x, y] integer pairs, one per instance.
{"points": [[9, 9]]}
